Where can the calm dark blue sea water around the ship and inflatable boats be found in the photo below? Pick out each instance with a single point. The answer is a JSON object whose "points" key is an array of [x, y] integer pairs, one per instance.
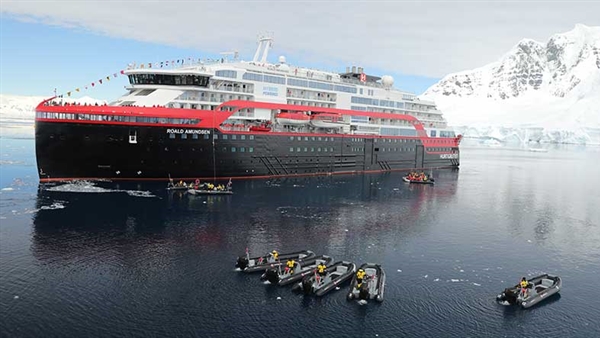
{"points": [[105, 259]]}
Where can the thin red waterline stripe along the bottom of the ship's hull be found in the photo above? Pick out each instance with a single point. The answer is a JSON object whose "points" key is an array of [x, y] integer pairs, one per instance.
{"points": [[47, 180]]}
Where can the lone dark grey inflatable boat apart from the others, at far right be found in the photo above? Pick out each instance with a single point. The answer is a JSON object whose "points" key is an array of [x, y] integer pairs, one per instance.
{"points": [[540, 288]]}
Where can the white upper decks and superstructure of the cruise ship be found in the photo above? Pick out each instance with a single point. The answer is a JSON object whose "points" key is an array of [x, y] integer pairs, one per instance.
{"points": [[206, 84]]}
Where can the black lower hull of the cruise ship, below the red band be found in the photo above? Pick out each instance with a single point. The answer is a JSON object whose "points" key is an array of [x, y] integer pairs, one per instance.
{"points": [[67, 151]]}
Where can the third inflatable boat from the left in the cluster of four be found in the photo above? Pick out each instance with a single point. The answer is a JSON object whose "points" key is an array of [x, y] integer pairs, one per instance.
{"points": [[335, 275]]}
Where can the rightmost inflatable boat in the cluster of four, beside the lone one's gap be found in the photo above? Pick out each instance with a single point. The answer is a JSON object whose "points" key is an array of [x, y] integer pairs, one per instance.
{"points": [[372, 286]]}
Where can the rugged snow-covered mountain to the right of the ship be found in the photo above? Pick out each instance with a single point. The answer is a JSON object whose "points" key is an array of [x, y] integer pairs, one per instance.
{"points": [[552, 88]]}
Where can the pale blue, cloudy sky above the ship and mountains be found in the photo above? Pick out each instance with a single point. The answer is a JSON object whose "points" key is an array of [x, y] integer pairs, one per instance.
{"points": [[70, 44]]}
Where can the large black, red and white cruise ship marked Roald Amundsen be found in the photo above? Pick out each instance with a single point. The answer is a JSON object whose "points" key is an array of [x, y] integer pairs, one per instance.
{"points": [[229, 118]]}
